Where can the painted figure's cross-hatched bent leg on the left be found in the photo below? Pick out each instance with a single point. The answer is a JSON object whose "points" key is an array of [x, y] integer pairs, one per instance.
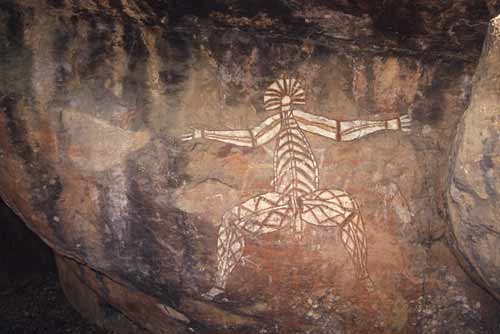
{"points": [[259, 215]]}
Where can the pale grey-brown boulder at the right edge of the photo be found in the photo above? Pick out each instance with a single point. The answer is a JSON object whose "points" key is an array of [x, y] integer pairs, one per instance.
{"points": [[475, 174]]}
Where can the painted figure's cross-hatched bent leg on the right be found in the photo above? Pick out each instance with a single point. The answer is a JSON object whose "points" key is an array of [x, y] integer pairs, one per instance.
{"points": [[337, 208]]}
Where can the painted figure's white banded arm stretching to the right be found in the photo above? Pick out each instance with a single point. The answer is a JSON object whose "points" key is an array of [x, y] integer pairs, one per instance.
{"points": [[348, 130]]}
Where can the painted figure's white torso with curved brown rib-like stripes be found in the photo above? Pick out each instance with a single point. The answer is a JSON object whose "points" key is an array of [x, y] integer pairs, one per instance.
{"points": [[295, 168]]}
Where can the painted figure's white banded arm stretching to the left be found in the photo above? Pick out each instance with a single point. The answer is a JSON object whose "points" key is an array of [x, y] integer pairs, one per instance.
{"points": [[259, 135]]}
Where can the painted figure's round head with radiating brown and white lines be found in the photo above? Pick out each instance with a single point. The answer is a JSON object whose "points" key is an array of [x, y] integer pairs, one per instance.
{"points": [[273, 97]]}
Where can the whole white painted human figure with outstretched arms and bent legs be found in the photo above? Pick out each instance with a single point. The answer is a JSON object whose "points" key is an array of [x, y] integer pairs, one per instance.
{"points": [[297, 199]]}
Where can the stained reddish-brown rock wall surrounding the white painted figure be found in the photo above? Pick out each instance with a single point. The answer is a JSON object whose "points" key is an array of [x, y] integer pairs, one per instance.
{"points": [[95, 96]]}
